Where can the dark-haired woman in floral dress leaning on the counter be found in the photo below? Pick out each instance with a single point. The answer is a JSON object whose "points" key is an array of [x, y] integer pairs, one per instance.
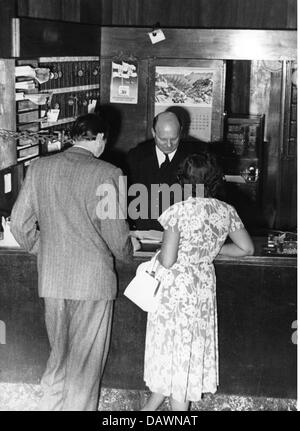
{"points": [[181, 356]]}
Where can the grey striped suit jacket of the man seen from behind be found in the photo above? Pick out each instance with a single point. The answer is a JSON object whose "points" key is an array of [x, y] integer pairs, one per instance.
{"points": [[75, 249]]}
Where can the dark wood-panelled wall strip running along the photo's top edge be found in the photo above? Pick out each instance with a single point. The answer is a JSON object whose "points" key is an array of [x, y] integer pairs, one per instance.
{"points": [[259, 14]]}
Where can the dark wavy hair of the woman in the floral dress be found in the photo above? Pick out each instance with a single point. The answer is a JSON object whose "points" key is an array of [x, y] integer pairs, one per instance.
{"points": [[203, 169]]}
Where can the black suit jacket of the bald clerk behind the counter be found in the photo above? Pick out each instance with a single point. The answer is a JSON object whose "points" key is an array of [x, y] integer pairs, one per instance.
{"points": [[143, 168]]}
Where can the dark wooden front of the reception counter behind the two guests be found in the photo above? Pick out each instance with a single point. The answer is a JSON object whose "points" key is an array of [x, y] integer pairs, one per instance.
{"points": [[257, 305]]}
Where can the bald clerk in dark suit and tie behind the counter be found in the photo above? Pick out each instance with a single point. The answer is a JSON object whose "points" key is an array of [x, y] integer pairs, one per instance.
{"points": [[157, 162]]}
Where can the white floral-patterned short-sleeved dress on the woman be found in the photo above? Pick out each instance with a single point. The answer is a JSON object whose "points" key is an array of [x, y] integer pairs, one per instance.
{"points": [[181, 355]]}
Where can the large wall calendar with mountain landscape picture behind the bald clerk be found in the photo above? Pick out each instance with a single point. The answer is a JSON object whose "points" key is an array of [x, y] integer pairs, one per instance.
{"points": [[190, 88]]}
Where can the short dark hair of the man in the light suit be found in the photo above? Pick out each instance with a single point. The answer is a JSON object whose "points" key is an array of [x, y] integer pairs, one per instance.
{"points": [[88, 126]]}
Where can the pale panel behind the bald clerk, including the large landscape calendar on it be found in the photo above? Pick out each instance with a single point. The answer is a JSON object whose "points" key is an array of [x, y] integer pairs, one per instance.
{"points": [[194, 91]]}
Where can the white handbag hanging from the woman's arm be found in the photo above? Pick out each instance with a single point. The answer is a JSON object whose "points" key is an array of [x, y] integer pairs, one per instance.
{"points": [[144, 287]]}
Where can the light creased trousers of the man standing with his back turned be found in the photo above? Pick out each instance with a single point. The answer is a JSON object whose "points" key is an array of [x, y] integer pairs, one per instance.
{"points": [[79, 335]]}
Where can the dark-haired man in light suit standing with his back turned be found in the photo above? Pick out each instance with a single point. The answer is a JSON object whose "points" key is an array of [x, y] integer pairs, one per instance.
{"points": [[56, 217]]}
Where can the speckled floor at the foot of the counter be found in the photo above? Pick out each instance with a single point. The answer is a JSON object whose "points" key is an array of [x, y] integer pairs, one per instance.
{"points": [[24, 397]]}
